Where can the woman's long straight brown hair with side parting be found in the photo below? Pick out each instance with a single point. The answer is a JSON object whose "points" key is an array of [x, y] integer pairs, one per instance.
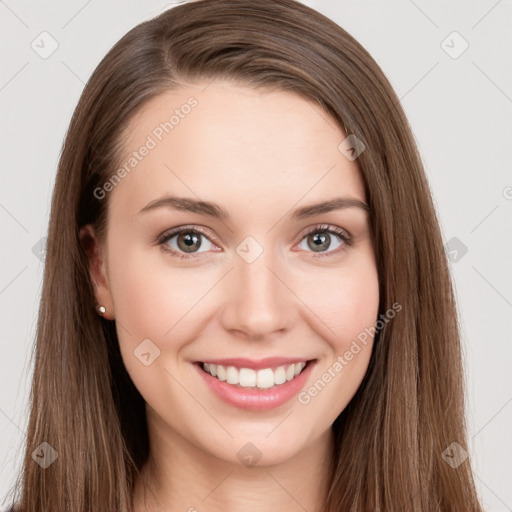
{"points": [[409, 408]]}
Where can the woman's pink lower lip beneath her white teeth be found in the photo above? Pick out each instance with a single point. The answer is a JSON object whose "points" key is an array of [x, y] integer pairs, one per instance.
{"points": [[254, 399]]}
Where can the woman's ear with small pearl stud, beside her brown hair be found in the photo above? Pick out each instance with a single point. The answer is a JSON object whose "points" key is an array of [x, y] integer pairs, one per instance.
{"points": [[95, 252]]}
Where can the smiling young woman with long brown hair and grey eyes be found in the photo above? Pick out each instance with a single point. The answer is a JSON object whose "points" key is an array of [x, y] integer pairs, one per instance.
{"points": [[246, 300]]}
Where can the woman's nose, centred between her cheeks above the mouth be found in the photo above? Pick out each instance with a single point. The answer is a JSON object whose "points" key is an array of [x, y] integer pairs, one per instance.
{"points": [[257, 301]]}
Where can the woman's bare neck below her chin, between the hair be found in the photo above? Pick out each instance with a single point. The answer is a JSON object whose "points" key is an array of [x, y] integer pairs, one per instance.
{"points": [[180, 476]]}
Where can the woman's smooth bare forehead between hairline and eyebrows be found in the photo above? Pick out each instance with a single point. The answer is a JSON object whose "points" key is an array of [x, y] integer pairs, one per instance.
{"points": [[237, 144]]}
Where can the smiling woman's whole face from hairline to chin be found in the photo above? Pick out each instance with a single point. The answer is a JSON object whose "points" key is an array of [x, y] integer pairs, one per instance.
{"points": [[257, 276]]}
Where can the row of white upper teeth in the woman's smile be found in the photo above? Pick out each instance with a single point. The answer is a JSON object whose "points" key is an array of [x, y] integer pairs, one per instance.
{"points": [[249, 378]]}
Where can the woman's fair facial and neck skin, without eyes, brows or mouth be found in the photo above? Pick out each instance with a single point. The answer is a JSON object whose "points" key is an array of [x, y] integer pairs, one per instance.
{"points": [[259, 155]]}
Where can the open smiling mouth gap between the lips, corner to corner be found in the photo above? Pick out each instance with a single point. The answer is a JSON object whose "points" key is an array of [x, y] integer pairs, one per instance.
{"points": [[255, 378]]}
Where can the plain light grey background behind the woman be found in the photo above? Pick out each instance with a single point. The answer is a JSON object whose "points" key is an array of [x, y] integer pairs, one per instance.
{"points": [[460, 110]]}
